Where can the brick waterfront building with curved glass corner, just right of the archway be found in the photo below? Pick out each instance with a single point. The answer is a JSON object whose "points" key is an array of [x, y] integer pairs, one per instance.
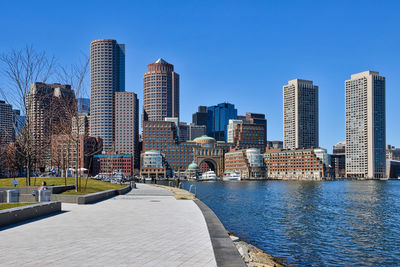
{"points": [[248, 162]]}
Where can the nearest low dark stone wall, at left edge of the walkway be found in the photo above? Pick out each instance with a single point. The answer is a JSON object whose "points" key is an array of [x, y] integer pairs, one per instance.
{"points": [[20, 214]]}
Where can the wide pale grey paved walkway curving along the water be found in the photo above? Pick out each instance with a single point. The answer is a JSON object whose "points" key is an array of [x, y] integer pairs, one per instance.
{"points": [[146, 227]]}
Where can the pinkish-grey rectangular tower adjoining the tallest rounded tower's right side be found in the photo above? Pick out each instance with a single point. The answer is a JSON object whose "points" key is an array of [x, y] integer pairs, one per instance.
{"points": [[127, 125]]}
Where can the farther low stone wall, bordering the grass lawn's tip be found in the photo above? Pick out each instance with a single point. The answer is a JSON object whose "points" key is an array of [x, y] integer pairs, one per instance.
{"points": [[90, 198]]}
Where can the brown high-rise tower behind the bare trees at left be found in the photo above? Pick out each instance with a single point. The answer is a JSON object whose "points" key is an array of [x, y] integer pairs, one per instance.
{"points": [[46, 114]]}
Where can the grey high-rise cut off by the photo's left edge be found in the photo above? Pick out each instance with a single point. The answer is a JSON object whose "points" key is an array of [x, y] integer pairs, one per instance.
{"points": [[7, 133]]}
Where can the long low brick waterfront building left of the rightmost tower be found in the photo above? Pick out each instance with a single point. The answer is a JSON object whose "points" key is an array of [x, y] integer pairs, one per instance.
{"points": [[294, 164]]}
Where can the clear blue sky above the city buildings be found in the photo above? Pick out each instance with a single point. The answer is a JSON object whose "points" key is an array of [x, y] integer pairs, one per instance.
{"points": [[242, 52]]}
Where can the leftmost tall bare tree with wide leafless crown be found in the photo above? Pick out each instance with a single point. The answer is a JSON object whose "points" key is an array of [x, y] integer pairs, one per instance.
{"points": [[21, 68]]}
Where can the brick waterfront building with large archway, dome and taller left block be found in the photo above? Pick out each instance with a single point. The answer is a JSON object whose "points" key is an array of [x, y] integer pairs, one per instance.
{"points": [[205, 151]]}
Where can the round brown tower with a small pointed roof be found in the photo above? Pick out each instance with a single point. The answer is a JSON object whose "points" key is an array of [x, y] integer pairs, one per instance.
{"points": [[161, 92]]}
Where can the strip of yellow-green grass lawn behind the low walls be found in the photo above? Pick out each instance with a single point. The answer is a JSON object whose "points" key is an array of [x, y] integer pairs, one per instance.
{"points": [[92, 185]]}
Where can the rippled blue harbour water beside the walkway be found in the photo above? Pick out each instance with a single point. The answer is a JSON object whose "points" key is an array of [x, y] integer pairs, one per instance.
{"points": [[312, 222]]}
